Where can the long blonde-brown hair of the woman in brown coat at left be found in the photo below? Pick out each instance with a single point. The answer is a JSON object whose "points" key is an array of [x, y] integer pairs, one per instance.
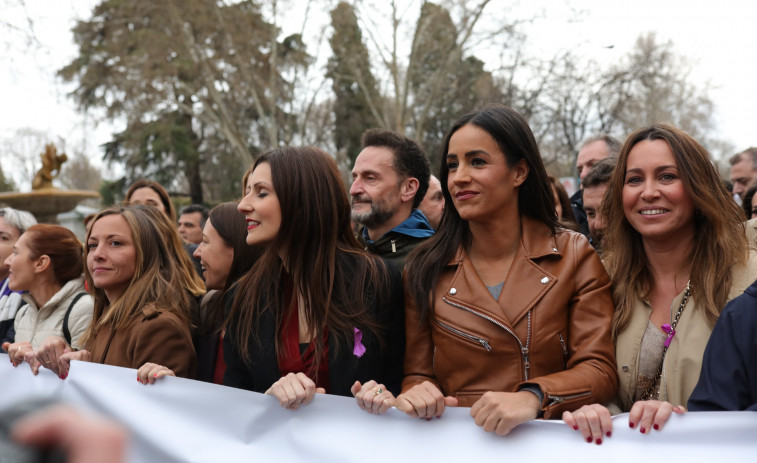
{"points": [[155, 281]]}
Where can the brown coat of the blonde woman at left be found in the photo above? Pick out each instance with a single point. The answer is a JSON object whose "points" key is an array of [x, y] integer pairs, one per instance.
{"points": [[155, 336]]}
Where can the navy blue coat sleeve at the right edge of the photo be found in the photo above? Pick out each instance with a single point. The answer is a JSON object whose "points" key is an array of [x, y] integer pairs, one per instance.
{"points": [[728, 380]]}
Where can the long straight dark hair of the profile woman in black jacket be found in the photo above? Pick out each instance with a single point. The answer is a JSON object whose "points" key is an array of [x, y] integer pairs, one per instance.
{"points": [[336, 278]]}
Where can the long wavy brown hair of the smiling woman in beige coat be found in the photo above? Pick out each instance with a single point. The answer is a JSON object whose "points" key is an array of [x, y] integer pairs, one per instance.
{"points": [[720, 236]]}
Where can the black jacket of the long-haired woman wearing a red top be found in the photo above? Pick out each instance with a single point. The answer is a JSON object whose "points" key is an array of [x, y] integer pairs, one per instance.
{"points": [[382, 363]]}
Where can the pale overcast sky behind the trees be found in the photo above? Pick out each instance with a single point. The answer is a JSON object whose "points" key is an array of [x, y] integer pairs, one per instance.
{"points": [[719, 37]]}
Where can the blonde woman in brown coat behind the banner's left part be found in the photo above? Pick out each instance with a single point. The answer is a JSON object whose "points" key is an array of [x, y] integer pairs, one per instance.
{"points": [[140, 312]]}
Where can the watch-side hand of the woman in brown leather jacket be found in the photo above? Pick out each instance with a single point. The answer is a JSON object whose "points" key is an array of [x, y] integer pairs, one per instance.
{"points": [[501, 412]]}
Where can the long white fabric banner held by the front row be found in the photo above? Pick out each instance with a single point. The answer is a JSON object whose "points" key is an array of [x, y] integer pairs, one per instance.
{"points": [[189, 421]]}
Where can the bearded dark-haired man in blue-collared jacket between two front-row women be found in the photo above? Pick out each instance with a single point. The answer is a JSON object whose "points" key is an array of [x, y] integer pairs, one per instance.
{"points": [[389, 180]]}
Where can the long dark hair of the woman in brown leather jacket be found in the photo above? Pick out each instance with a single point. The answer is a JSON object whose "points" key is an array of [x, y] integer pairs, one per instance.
{"points": [[515, 139]]}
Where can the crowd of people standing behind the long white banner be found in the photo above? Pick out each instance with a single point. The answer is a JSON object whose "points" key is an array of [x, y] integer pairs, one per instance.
{"points": [[485, 286]]}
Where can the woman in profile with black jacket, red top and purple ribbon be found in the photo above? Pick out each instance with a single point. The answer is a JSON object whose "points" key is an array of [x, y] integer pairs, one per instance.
{"points": [[316, 313]]}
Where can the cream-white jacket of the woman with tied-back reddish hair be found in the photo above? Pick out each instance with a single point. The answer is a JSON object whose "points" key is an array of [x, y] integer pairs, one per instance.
{"points": [[34, 324]]}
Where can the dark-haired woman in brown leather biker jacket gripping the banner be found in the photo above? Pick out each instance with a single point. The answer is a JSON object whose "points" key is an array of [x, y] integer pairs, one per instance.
{"points": [[505, 312]]}
